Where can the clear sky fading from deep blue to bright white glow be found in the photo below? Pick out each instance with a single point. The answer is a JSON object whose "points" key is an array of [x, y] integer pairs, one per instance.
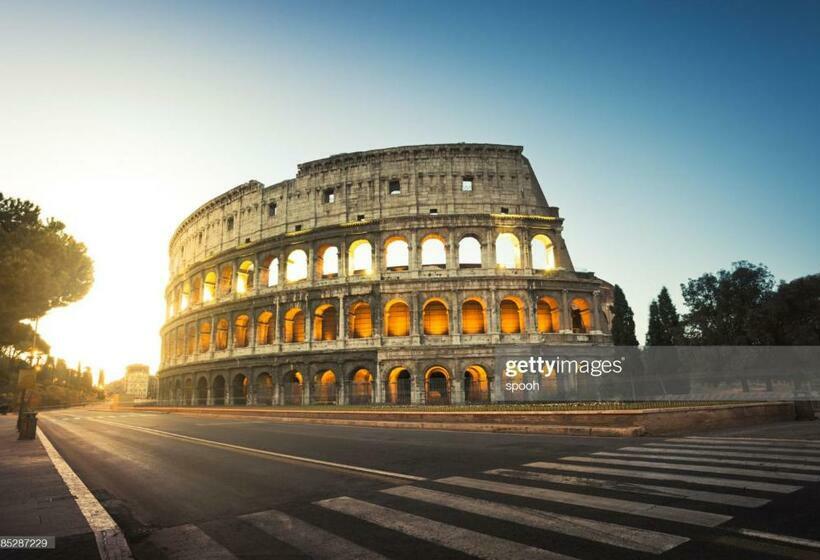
{"points": [[676, 137]]}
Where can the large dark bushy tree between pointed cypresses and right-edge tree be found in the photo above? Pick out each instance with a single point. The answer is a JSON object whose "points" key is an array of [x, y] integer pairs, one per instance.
{"points": [[722, 305]]}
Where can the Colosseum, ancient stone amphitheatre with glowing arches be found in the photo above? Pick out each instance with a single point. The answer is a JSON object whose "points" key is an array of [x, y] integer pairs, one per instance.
{"points": [[385, 276]]}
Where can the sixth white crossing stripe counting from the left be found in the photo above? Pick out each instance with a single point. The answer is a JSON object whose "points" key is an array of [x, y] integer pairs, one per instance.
{"points": [[634, 488]]}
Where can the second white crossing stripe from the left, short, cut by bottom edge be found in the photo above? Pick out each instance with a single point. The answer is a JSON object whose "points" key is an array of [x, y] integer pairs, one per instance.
{"points": [[313, 541]]}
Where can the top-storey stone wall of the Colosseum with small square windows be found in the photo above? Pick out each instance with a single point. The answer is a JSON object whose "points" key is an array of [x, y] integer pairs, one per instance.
{"points": [[430, 178]]}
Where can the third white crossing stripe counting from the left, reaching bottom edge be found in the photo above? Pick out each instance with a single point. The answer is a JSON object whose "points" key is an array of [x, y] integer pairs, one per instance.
{"points": [[449, 536]]}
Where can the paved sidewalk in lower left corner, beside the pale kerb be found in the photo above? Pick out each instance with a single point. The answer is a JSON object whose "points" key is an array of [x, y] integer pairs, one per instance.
{"points": [[34, 500]]}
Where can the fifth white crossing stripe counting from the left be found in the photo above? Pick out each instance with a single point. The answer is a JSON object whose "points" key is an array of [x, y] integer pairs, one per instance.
{"points": [[680, 515]]}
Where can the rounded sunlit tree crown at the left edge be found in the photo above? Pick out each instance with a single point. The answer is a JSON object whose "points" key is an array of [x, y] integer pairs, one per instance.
{"points": [[41, 266]]}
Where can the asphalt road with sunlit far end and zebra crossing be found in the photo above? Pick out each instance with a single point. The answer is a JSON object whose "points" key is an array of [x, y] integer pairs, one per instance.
{"points": [[204, 487]]}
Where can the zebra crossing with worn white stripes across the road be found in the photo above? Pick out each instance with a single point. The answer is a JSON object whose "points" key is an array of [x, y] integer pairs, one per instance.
{"points": [[548, 509]]}
